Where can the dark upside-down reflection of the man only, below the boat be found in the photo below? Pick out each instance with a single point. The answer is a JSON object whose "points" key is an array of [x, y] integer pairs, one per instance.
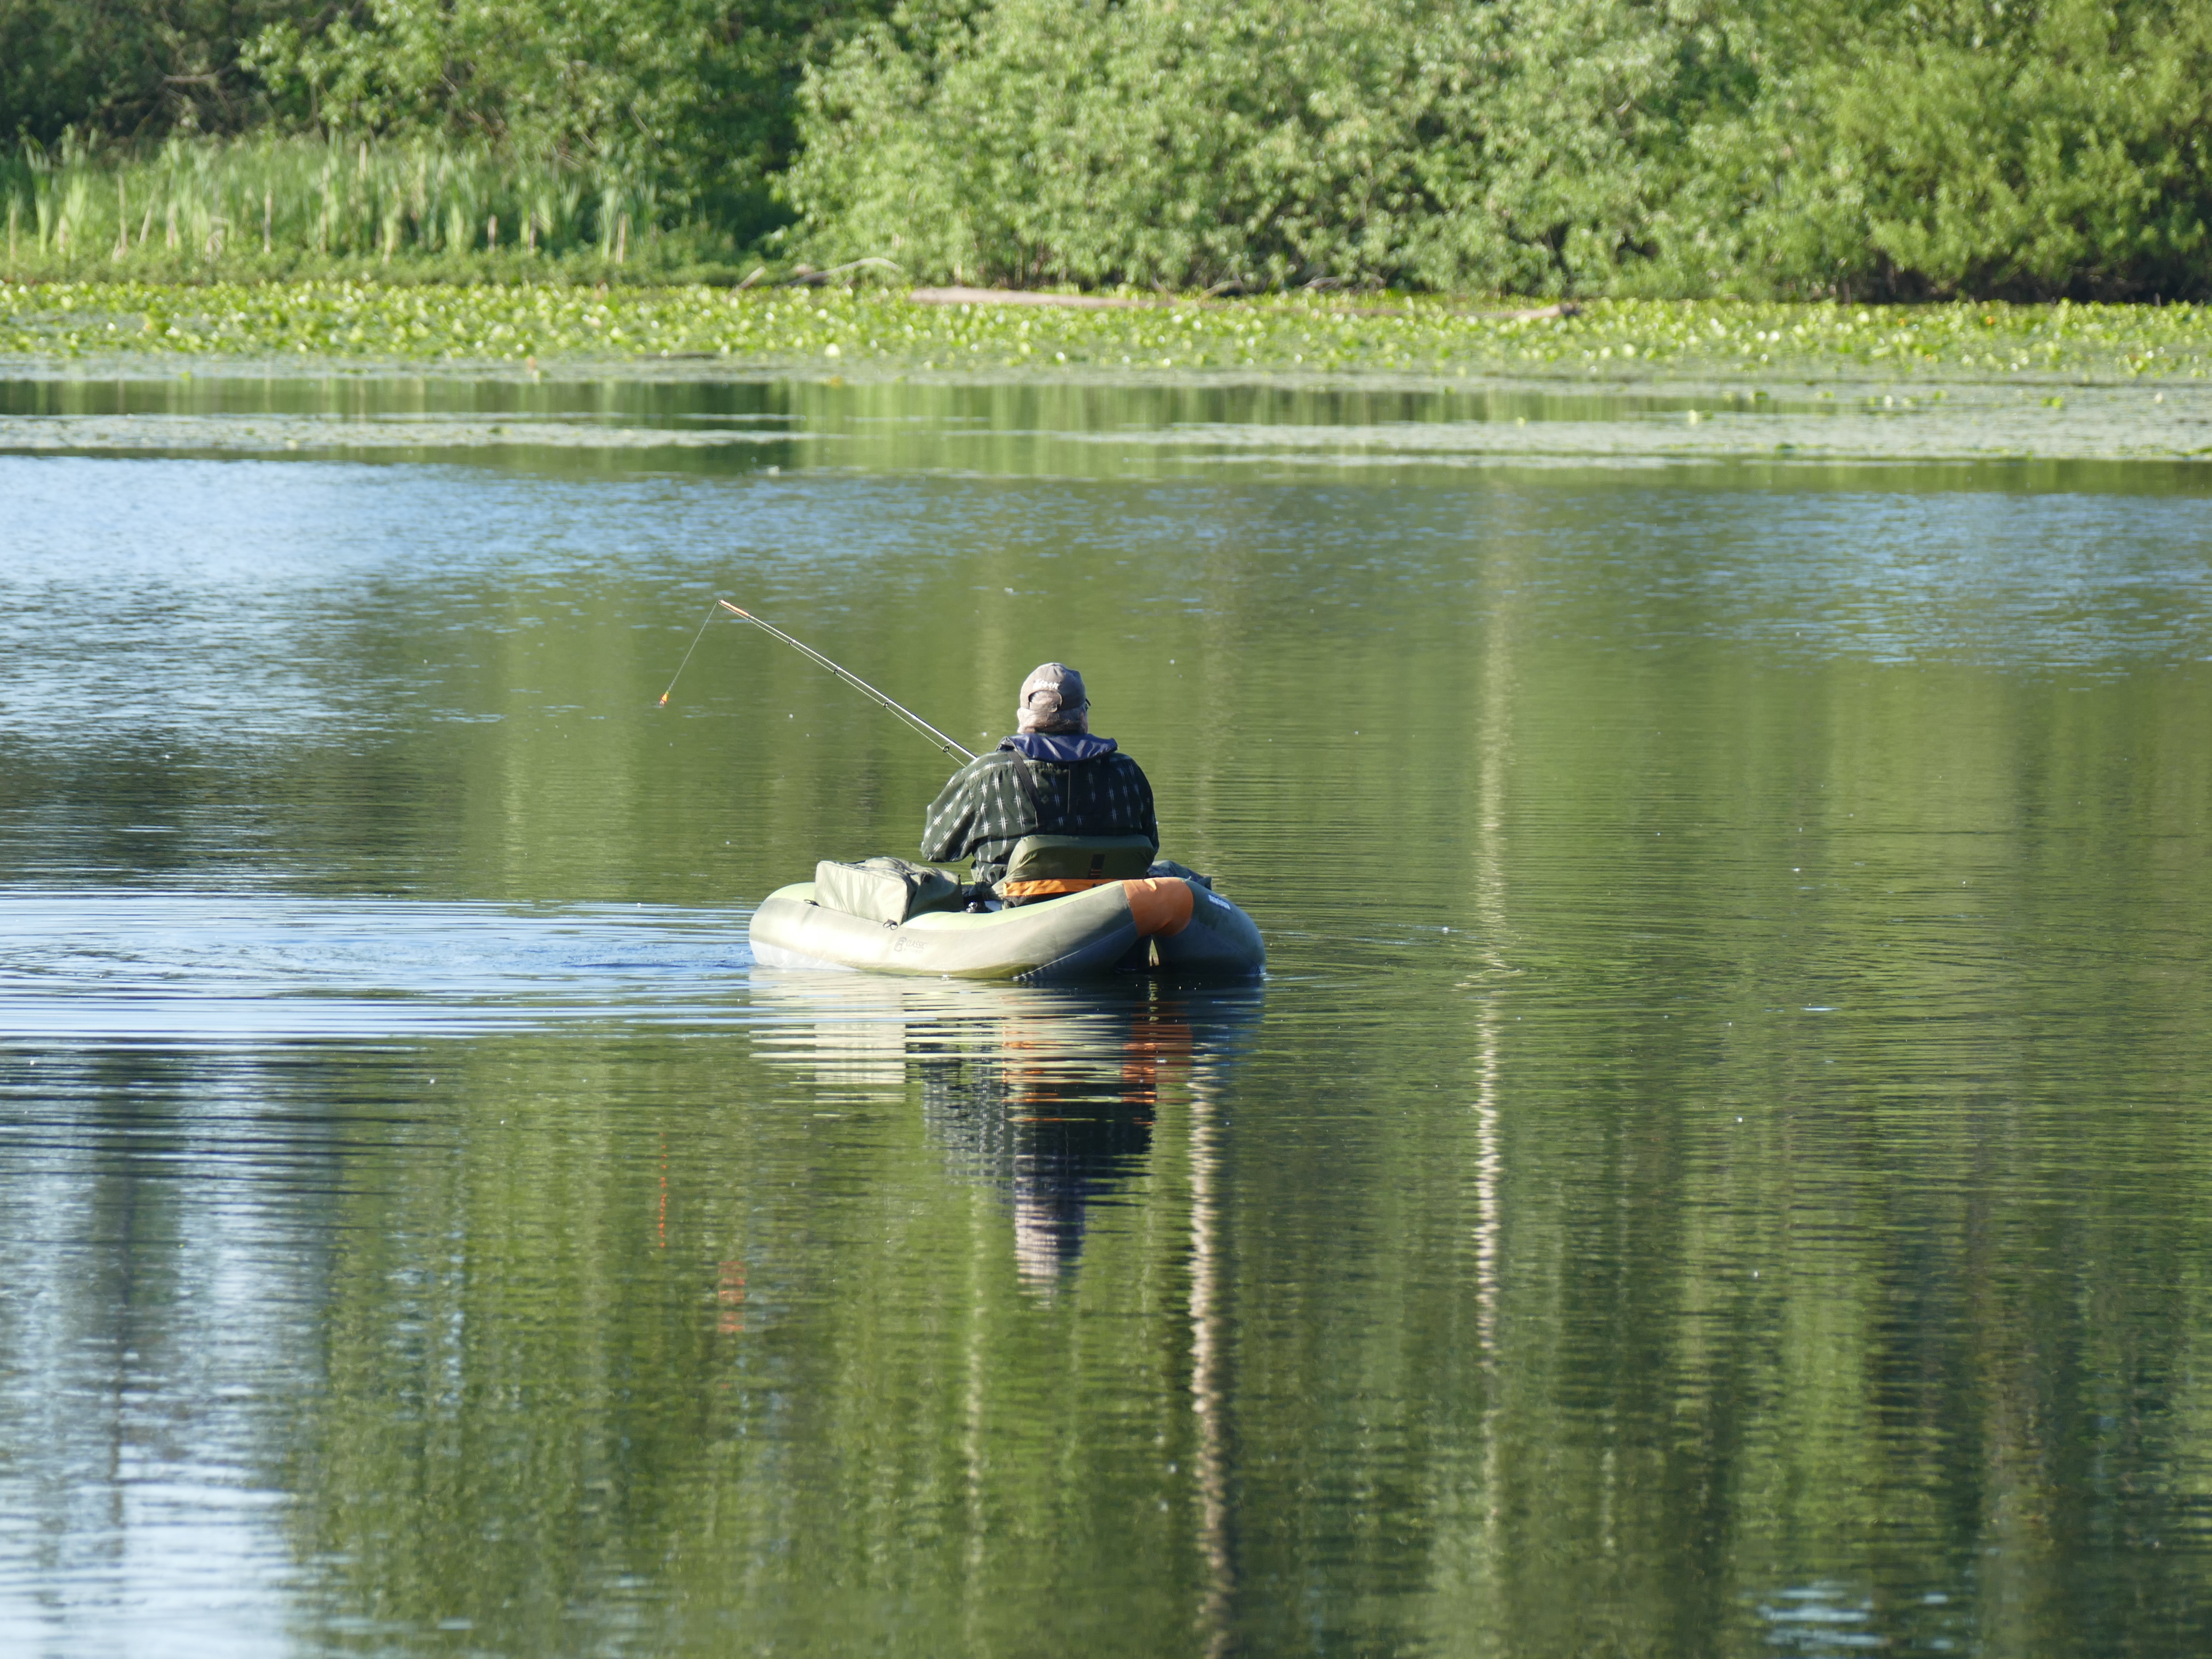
{"points": [[1054, 1134]]}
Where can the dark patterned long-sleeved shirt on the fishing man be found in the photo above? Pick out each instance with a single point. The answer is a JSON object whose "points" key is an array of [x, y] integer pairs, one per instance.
{"points": [[983, 811]]}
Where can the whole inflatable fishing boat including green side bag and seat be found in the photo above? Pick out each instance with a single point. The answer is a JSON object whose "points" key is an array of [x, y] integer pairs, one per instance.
{"points": [[890, 917]]}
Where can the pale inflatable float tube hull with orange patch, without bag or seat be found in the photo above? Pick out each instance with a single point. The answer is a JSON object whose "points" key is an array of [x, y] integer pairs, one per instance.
{"points": [[1149, 926]]}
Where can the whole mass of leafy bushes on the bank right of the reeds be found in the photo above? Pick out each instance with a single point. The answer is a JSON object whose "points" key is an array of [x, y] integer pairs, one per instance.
{"points": [[1527, 145]]}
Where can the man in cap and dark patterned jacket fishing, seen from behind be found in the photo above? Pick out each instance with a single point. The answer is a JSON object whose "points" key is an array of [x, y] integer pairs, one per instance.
{"points": [[1050, 780]]}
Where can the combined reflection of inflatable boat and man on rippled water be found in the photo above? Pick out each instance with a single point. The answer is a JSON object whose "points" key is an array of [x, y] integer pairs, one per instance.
{"points": [[1043, 1096]]}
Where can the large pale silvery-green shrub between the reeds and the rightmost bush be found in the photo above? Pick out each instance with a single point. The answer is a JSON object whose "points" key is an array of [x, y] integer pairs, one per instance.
{"points": [[1227, 143]]}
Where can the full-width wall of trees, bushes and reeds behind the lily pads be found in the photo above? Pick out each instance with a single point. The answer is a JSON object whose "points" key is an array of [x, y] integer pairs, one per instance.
{"points": [[1554, 147]]}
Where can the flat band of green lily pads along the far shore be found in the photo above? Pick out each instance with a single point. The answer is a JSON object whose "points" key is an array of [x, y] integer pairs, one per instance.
{"points": [[877, 328]]}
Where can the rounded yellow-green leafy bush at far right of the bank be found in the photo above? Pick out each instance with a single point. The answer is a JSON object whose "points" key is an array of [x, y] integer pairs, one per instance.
{"points": [[2027, 152]]}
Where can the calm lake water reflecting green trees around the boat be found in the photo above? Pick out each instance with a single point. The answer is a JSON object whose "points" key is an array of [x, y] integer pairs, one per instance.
{"points": [[1720, 1165]]}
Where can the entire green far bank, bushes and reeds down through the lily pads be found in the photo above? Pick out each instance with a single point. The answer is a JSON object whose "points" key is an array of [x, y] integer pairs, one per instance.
{"points": [[1556, 189]]}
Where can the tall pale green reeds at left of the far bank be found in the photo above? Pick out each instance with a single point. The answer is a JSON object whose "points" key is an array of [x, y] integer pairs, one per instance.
{"points": [[205, 200]]}
